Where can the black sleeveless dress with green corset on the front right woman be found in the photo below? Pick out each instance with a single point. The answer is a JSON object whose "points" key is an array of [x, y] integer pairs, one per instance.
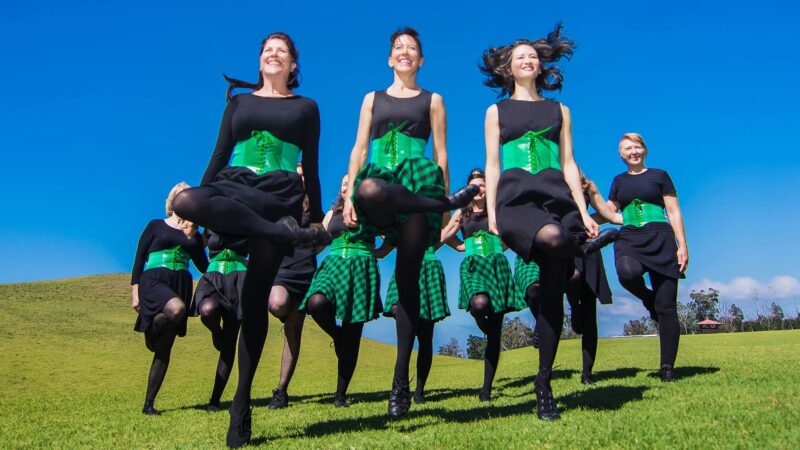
{"points": [[537, 195]]}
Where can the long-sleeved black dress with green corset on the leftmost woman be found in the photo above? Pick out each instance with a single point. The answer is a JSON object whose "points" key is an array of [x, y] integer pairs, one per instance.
{"points": [[163, 278]]}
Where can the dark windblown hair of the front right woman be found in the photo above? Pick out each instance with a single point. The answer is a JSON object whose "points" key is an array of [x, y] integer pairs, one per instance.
{"points": [[496, 62]]}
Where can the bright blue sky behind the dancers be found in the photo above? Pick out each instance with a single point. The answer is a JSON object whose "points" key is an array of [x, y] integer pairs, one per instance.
{"points": [[107, 104]]}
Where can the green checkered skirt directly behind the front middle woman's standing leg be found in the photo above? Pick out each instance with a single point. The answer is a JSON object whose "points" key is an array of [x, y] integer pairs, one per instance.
{"points": [[432, 293]]}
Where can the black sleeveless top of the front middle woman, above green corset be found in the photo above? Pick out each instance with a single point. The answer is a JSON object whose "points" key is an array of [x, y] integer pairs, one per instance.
{"points": [[388, 112]]}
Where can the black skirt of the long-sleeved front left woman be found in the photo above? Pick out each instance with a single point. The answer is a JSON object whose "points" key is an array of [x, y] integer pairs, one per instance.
{"points": [[272, 195]]}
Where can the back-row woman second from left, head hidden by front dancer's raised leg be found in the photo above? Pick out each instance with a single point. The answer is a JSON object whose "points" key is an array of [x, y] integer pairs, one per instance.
{"points": [[217, 302]]}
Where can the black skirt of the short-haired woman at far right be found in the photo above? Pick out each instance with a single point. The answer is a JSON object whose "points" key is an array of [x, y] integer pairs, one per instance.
{"points": [[655, 249]]}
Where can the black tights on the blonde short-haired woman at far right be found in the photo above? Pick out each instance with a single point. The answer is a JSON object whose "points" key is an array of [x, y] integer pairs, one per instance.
{"points": [[663, 297]]}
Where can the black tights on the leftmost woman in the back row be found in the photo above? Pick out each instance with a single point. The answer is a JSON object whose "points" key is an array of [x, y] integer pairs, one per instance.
{"points": [[163, 332]]}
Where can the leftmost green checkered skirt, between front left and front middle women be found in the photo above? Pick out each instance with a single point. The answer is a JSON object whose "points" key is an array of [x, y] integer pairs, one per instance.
{"points": [[352, 285]]}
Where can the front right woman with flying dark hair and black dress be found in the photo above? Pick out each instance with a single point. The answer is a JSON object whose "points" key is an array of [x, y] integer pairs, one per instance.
{"points": [[537, 203]]}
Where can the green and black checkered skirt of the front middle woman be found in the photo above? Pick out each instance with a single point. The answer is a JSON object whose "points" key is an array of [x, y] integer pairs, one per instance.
{"points": [[419, 175]]}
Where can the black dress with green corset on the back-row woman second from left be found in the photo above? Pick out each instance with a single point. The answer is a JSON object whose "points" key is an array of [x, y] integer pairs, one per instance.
{"points": [[224, 281]]}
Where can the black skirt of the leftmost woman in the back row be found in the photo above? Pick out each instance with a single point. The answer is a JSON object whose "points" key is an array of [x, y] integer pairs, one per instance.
{"points": [[157, 287]]}
